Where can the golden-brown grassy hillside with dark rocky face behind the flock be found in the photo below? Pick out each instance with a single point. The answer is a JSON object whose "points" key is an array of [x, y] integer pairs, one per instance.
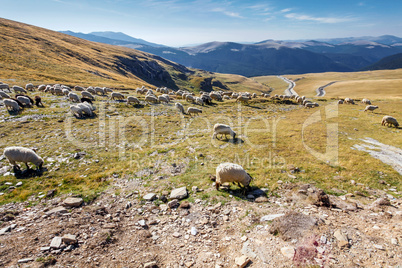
{"points": [[30, 53]]}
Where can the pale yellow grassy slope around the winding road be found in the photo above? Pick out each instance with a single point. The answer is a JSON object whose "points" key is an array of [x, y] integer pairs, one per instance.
{"points": [[382, 84]]}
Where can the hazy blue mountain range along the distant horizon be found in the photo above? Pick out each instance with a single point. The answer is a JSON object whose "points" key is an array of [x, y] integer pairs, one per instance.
{"points": [[268, 57]]}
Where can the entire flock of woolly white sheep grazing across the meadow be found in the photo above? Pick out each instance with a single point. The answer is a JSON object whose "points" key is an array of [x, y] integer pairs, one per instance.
{"points": [[82, 106]]}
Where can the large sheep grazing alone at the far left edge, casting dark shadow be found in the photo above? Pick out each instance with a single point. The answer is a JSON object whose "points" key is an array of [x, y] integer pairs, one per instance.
{"points": [[21, 154]]}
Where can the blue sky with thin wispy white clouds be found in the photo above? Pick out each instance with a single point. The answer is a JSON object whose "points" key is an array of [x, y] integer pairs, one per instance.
{"points": [[183, 22]]}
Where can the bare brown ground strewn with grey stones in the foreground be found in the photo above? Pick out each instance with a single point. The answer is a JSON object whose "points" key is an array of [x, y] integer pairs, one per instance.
{"points": [[299, 225]]}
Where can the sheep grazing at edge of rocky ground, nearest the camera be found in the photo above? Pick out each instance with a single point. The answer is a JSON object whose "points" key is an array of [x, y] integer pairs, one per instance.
{"points": [[230, 172]]}
